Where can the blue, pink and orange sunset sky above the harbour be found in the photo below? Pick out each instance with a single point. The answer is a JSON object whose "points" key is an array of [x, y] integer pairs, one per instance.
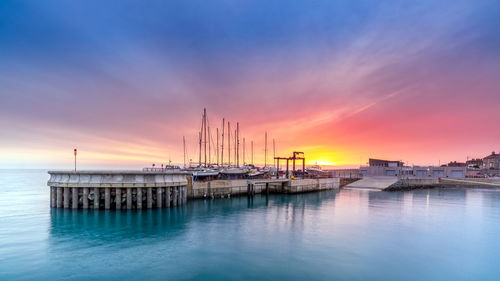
{"points": [[342, 81]]}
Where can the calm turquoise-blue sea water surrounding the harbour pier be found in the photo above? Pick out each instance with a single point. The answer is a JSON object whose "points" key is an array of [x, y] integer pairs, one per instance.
{"points": [[346, 235]]}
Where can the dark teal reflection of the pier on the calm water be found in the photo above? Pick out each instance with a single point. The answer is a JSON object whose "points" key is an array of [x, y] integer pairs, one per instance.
{"points": [[109, 226]]}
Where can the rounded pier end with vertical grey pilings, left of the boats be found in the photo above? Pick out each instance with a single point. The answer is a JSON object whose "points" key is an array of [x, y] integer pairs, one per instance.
{"points": [[117, 189]]}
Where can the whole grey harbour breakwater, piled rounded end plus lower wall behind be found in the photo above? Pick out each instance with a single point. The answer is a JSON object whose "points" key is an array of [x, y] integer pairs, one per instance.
{"points": [[140, 190]]}
